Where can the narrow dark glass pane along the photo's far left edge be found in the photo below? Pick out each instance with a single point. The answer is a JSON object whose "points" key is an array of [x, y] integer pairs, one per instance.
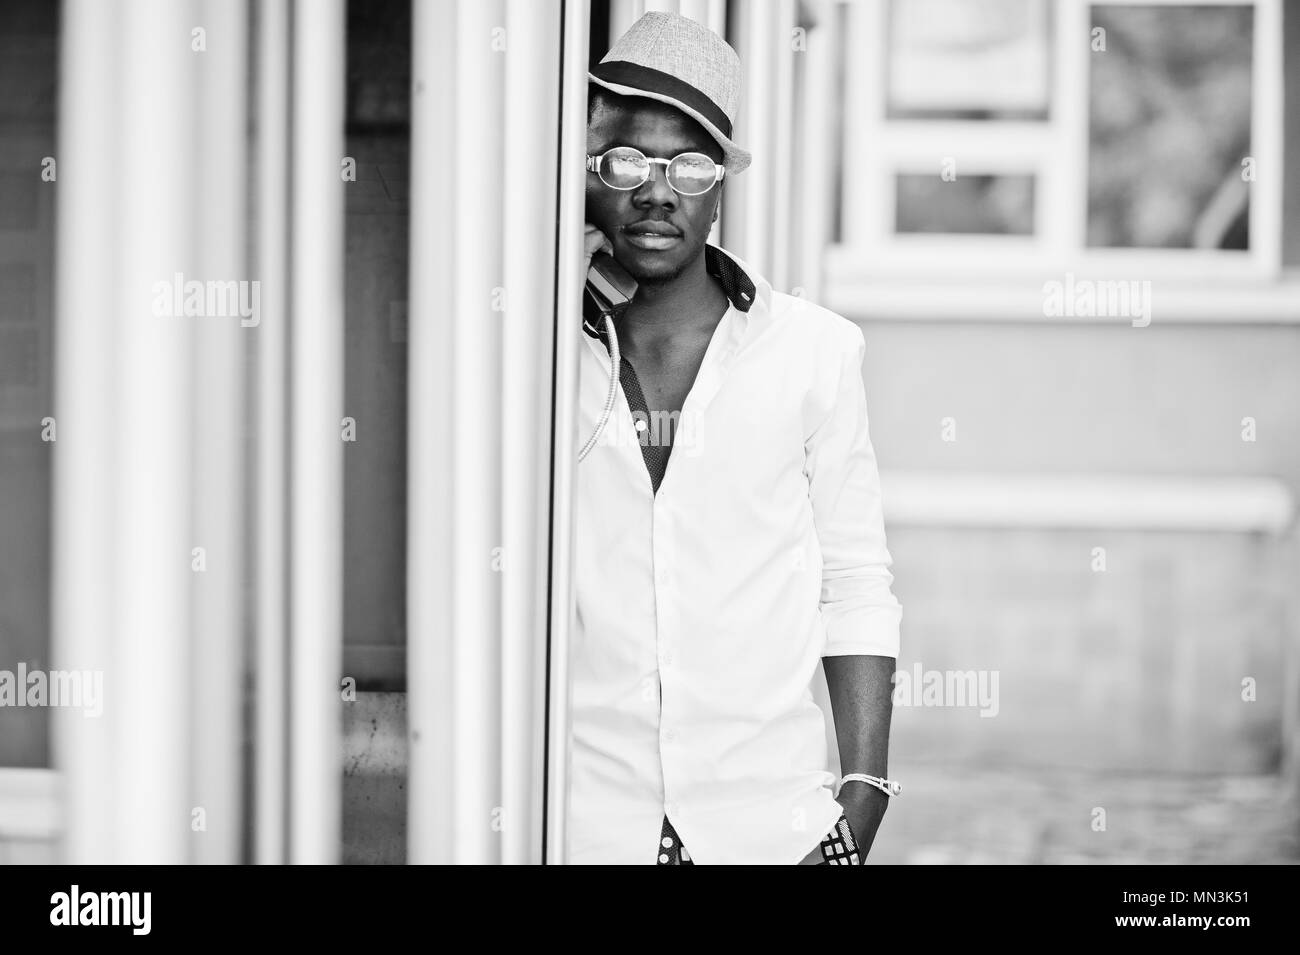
{"points": [[29, 68]]}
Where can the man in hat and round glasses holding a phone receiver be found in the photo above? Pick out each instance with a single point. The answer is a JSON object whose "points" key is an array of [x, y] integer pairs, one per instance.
{"points": [[738, 540]]}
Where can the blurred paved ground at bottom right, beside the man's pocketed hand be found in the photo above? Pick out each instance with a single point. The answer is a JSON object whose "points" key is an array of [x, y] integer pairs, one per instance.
{"points": [[961, 817]]}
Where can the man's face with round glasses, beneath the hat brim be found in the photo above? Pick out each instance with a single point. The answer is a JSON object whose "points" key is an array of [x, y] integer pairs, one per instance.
{"points": [[679, 224]]}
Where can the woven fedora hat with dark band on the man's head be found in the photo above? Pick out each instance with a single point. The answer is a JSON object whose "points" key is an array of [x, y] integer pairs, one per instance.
{"points": [[679, 62]]}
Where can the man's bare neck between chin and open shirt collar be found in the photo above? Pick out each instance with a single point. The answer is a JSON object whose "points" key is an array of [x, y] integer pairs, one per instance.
{"points": [[661, 314]]}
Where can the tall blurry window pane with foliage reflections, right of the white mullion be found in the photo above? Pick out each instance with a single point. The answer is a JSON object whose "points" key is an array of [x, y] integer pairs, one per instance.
{"points": [[1171, 127]]}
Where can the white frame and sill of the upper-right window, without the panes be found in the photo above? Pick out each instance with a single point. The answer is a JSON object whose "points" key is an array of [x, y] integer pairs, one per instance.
{"points": [[872, 258]]}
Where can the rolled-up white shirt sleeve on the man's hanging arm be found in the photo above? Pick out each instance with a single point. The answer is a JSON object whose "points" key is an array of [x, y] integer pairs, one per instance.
{"points": [[861, 614]]}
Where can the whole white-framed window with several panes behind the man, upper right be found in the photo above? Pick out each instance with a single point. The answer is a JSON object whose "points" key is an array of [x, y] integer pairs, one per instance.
{"points": [[1013, 141]]}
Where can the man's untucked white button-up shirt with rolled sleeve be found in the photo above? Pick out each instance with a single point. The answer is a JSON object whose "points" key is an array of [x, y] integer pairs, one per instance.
{"points": [[705, 609]]}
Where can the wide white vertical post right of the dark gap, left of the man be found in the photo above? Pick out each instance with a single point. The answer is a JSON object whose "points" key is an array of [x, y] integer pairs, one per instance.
{"points": [[457, 536]]}
